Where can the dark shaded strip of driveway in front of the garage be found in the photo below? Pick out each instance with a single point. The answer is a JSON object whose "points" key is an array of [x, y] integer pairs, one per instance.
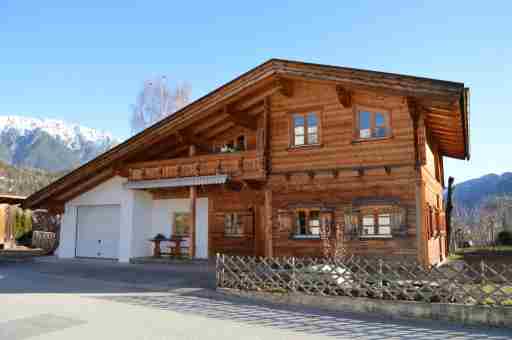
{"points": [[102, 276]]}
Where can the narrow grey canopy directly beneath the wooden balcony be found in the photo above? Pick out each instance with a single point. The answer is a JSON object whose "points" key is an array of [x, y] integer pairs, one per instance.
{"points": [[176, 182]]}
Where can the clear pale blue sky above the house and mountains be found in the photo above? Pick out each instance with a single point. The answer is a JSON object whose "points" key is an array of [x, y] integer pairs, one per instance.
{"points": [[85, 63]]}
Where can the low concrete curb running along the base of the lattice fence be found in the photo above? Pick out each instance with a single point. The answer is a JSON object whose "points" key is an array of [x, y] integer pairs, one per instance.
{"points": [[474, 315]]}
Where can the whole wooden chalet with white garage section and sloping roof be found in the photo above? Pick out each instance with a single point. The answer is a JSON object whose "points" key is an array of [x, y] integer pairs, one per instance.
{"points": [[289, 158]]}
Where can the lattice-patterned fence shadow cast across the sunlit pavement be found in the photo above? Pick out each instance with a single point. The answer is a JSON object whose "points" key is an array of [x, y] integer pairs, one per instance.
{"points": [[308, 321]]}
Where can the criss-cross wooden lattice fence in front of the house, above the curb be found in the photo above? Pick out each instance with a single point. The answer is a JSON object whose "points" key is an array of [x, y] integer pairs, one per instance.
{"points": [[371, 278]]}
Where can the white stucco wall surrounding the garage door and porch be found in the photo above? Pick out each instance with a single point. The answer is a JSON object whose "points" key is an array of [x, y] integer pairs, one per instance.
{"points": [[141, 218]]}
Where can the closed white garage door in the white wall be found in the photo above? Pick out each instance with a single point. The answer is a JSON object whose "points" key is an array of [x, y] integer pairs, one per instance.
{"points": [[98, 231]]}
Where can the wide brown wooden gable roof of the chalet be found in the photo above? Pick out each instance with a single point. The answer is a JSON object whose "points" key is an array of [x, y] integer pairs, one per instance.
{"points": [[439, 94]]}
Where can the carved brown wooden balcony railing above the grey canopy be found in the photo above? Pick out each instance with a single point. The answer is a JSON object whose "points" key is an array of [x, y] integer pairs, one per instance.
{"points": [[245, 165]]}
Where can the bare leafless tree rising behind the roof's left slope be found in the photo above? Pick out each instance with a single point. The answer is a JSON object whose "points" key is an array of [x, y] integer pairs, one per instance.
{"points": [[156, 101]]}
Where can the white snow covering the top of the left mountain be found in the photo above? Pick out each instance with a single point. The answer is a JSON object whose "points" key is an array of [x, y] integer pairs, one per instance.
{"points": [[72, 135]]}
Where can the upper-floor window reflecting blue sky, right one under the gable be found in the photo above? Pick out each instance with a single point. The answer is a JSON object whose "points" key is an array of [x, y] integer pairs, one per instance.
{"points": [[372, 124]]}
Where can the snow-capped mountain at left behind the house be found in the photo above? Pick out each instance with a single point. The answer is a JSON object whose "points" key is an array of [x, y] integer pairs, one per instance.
{"points": [[49, 144]]}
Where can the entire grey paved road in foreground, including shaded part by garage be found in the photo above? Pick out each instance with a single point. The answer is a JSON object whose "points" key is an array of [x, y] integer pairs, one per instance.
{"points": [[95, 300]]}
